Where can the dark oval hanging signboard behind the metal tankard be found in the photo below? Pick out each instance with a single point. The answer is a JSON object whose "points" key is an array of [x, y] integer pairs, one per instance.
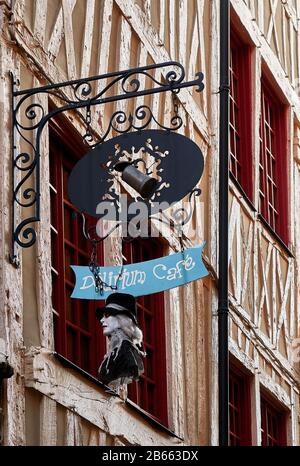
{"points": [[175, 161]]}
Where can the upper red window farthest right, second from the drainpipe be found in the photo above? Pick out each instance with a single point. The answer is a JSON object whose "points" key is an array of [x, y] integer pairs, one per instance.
{"points": [[273, 163]]}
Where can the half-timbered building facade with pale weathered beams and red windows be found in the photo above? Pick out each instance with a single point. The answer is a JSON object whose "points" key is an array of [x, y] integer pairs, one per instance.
{"points": [[54, 342]]}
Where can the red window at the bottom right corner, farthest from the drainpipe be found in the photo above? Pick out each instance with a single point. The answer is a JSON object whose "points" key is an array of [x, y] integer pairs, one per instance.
{"points": [[273, 424]]}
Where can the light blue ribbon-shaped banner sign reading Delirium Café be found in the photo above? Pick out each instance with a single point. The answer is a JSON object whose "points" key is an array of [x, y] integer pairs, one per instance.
{"points": [[143, 278]]}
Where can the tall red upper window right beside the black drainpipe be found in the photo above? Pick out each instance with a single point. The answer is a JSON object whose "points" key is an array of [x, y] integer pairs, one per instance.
{"points": [[240, 114]]}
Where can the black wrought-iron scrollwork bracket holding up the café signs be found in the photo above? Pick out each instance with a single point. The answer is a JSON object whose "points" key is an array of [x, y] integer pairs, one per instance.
{"points": [[29, 118]]}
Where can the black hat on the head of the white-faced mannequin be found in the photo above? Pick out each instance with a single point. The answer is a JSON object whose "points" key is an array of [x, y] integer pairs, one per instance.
{"points": [[119, 303]]}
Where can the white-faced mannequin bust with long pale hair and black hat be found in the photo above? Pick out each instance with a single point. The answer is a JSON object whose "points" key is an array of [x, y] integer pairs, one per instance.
{"points": [[123, 361]]}
